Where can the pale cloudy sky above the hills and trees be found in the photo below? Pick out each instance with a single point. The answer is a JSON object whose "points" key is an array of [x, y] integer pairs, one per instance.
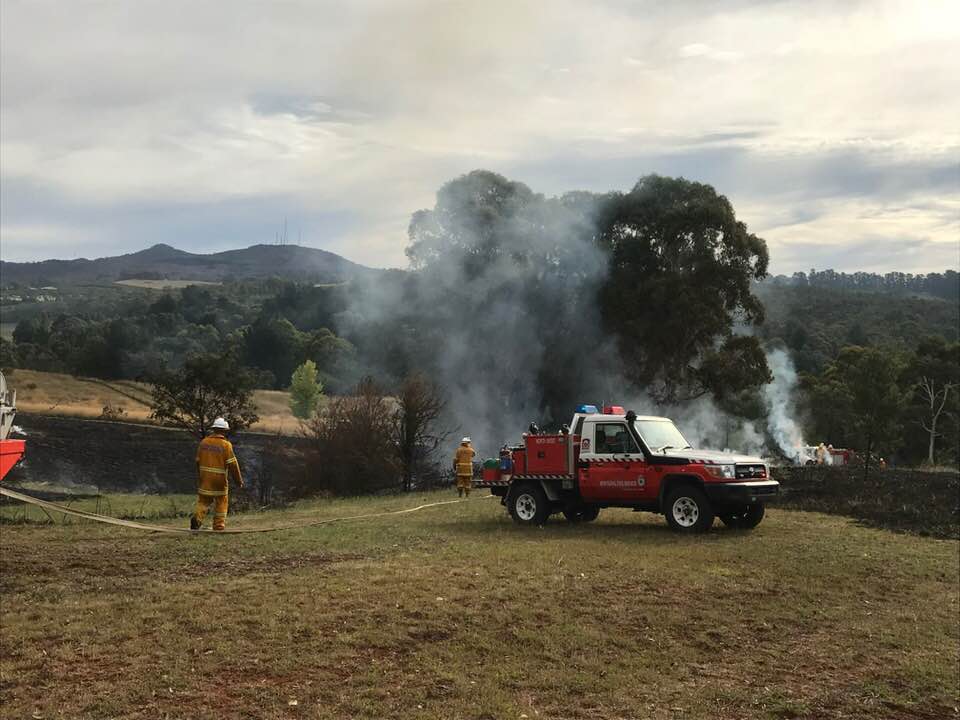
{"points": [[833, 127]]}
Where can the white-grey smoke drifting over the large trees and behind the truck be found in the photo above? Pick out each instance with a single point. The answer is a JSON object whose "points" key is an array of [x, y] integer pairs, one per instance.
{"points": [[509, 280]]}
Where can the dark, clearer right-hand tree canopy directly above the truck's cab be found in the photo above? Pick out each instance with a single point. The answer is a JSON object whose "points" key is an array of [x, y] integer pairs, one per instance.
{"points": [[681, 265]]}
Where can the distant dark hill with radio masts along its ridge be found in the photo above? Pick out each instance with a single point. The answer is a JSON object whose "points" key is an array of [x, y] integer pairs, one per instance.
{"points": [[162, 262]]}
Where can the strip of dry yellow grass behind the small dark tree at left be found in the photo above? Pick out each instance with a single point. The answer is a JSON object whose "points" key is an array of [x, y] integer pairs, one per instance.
{"points": [[44, 393]]}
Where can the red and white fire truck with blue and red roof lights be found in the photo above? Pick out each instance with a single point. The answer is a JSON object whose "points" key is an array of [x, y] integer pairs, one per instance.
{"points": [[619, 459]]}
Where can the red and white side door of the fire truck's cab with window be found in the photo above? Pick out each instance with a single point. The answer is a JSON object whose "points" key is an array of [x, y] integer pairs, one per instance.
{"points": [[611, 467]]}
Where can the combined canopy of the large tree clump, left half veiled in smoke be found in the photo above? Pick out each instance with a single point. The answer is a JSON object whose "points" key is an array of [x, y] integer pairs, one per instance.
{"points": [[594, 295]]}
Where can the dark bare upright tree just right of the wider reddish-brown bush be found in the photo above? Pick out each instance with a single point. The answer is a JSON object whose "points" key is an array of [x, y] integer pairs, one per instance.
{"points": [[417, 431]]}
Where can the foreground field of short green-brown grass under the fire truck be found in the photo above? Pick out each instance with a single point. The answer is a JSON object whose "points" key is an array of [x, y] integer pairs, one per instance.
{"points": [[454, 612]]}
